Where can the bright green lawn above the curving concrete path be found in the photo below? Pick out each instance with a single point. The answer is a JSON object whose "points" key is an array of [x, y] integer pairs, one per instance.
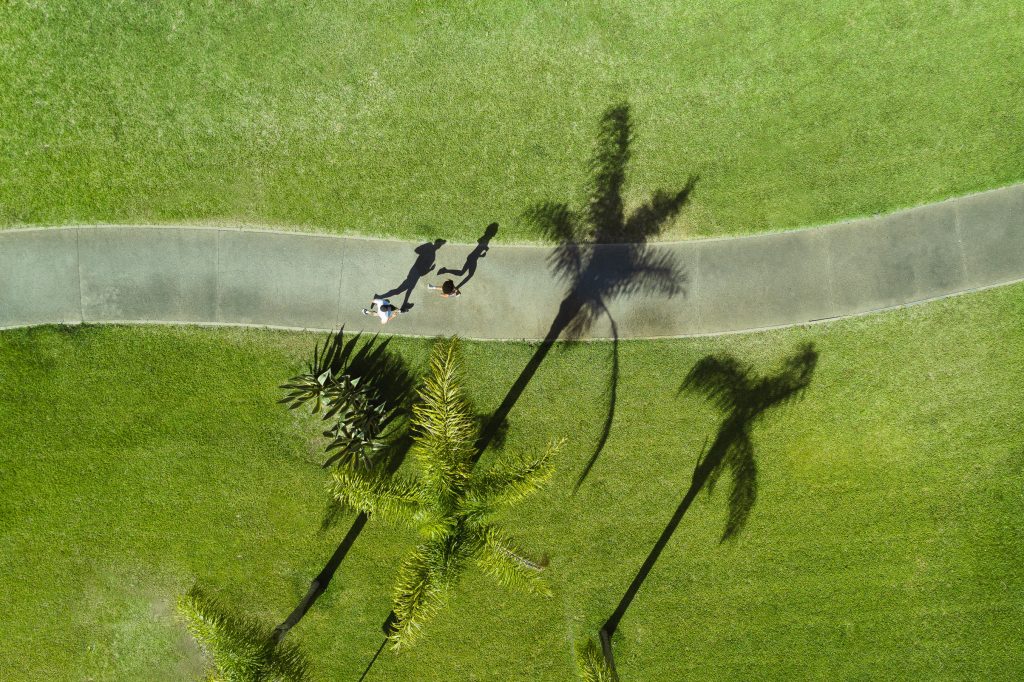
{"points": [[398, 119]]}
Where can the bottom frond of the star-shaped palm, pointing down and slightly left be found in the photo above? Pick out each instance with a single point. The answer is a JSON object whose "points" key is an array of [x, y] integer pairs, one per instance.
{"points": [[423, 588]]}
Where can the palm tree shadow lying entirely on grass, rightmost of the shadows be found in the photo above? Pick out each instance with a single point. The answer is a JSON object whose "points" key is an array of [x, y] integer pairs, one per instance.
{"points": [[745, 399]]}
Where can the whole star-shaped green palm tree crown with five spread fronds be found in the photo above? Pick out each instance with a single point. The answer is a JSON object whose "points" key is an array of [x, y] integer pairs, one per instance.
{"points": [[449, 502]]}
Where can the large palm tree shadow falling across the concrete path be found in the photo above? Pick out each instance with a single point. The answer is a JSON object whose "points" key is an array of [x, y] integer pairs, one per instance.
{"points": [[602, 254]]}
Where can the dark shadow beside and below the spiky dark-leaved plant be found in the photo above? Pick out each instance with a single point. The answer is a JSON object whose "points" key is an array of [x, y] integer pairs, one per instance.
{"points": [[374, 365]]}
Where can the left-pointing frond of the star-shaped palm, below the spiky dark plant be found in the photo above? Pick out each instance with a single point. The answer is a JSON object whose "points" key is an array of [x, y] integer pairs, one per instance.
{"points": [[396, 500]]}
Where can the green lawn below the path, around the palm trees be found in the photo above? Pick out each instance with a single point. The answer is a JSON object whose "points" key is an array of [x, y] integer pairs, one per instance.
{"points": [[886, 542]]}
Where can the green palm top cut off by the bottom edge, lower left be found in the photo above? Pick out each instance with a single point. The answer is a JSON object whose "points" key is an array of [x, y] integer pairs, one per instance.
{"points": [[242, 649]]}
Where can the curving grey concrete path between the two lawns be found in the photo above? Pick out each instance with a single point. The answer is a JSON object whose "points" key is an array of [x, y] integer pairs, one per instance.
{"points": [[243, 277]]}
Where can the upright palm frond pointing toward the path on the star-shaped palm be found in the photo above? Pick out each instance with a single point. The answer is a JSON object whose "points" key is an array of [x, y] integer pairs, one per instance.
{"points": [[444, 424]]}
